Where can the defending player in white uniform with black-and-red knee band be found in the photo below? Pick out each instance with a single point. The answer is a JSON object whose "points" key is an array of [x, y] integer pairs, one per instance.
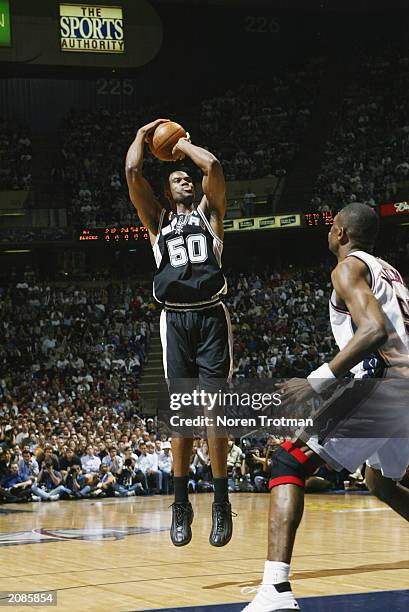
{"points": [[369, 312]]}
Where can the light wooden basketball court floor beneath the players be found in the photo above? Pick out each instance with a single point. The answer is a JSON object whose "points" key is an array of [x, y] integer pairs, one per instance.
{"points": [[115, 554]]}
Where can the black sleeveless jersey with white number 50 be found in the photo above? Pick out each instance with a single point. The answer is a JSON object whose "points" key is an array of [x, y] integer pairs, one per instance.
{"points": [[188, 257]]}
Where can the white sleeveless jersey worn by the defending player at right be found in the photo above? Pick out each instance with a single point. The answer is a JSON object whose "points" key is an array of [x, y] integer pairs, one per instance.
{"points": [[392, 294]]}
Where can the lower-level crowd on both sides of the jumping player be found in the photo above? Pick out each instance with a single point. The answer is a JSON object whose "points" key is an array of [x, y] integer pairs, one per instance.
{"points": [[71, 420]]}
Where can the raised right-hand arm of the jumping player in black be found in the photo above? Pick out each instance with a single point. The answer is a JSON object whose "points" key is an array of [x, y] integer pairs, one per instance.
{"points": [[214, 185]]}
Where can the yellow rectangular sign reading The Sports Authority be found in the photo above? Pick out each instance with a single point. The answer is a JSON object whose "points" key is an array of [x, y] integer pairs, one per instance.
{"points": [[92, 29]]}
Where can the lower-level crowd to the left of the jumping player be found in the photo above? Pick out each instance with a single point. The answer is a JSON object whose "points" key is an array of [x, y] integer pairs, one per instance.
{"points": [[70, 361]]}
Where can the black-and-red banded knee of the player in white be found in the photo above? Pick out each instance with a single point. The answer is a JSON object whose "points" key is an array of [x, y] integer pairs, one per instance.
{"points": [[289, 465]]}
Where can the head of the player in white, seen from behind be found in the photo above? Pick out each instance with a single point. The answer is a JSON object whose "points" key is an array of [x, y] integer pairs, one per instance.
{"points": [[361, 224]]}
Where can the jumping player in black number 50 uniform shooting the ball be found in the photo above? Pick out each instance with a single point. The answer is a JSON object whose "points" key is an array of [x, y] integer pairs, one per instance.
{"points": [[195, 325]]}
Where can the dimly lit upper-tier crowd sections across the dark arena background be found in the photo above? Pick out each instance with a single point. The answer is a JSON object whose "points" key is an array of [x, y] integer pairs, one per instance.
{"points": [[255, 131]]}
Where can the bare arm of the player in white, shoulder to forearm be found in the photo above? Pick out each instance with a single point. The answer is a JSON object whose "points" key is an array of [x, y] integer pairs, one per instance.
{"points": [[351, 285]]}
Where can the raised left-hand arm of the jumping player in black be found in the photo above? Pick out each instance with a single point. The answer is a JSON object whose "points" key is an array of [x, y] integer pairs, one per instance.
{"points": [[140, 191]]}
